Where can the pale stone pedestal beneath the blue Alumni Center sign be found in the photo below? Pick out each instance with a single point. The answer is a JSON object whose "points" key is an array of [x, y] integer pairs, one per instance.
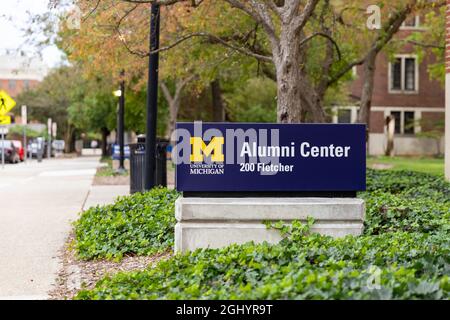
{"points": [[218, 222]]}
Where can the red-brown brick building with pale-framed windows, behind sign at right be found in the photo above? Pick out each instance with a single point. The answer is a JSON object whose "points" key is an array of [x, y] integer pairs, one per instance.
{"points": [[404, 90]]}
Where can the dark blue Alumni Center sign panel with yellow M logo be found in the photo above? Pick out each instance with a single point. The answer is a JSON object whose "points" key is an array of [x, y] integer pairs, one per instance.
{"points": [[248, 157]]}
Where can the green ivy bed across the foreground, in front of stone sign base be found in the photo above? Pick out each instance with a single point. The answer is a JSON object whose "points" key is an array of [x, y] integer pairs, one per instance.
{"points": [[389, 266]]}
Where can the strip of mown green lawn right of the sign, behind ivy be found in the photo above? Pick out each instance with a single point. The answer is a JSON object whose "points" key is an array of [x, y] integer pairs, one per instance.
{"points": [[419, 164]]}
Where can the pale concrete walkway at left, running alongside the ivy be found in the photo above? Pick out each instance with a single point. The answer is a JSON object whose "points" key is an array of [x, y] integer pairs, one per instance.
{"points": [[38, 202]]}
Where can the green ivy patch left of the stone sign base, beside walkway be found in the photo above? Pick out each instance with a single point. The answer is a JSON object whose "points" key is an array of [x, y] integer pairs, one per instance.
{"points": [[138, 224]]}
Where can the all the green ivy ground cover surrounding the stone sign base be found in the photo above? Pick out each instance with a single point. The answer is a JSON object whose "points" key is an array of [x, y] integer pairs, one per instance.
{"points": [[403, 253]]}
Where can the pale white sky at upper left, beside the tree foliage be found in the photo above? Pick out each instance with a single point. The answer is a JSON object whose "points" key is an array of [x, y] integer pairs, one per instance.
{"points": [[12, 36]]}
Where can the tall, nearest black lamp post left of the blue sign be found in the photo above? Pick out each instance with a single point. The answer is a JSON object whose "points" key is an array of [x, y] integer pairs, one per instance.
{"points": [[152, 99]]}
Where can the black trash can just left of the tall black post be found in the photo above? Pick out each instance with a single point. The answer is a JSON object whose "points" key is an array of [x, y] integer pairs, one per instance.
{"points": [[137, 167]]}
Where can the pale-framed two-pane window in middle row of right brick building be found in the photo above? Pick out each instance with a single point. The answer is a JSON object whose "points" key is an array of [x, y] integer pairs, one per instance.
{"points": [[404, 75]]}
